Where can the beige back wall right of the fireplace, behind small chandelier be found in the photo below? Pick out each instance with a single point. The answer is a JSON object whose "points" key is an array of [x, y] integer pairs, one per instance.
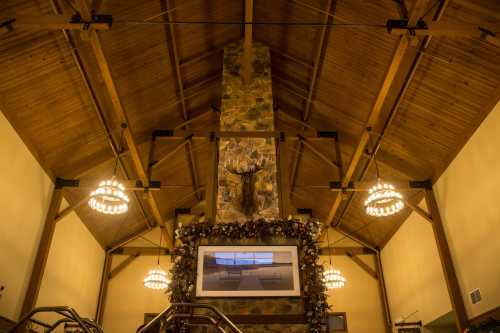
{"points": [[360, 298]]}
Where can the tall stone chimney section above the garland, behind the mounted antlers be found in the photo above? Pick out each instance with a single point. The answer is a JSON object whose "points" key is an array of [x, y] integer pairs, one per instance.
{"points": [[246, 107]]}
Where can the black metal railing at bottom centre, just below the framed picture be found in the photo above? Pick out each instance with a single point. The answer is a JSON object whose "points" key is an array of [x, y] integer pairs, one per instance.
{"points": [[185, 313]]}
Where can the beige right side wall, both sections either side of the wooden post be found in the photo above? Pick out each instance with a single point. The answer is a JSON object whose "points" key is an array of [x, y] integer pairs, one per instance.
{"points": [[468, 196]]}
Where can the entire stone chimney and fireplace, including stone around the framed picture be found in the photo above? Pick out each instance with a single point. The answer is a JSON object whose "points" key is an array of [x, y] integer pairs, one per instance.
{"points": [[249, 107]]}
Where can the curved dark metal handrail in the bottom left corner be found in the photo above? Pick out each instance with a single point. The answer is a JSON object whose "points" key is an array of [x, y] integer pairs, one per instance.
{"points": [[69, 314]]}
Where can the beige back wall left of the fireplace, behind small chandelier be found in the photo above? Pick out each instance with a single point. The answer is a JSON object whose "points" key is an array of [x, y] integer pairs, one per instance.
{"points": [[128, 300]]}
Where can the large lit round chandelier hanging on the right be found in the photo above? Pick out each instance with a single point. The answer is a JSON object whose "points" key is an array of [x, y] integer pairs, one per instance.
{"points": [[383, 200]]}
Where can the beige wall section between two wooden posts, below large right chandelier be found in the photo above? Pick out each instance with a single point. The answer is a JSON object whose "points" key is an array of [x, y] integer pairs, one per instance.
{"points": [[413, 274]]}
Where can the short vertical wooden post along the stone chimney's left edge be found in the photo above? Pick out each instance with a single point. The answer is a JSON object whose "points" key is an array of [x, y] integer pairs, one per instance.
{"points": [[211, 191]]}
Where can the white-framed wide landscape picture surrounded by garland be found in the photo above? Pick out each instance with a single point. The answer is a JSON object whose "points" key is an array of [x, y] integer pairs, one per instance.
{"points": [[247, 271]]}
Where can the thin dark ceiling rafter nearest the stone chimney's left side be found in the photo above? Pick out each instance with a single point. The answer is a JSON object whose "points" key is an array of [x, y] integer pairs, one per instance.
{"points": [[174, 56]]}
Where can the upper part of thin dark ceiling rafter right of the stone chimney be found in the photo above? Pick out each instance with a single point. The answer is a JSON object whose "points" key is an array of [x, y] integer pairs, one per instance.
{"points": [[318, 59]]}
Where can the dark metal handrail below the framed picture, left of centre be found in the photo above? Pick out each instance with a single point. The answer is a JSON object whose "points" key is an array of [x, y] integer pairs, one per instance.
{"points": [[167, 313]]}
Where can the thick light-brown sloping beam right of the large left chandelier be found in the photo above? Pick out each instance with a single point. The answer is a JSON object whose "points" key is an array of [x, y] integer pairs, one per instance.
{"points": [[120, 113]]}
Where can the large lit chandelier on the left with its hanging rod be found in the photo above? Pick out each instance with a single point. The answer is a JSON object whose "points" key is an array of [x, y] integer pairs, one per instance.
{"points": [[109, 197]]}
